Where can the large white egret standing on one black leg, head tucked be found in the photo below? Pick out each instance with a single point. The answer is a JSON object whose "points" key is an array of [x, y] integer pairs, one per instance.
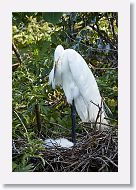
{"points": [[80, 87]]}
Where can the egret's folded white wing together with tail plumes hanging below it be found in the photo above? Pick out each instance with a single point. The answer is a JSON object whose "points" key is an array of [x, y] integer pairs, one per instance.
{"points": [[89, 99]]}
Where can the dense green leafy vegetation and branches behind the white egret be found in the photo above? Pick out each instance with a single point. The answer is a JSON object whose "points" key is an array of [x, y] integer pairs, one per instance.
{"points": [[38, 111]]}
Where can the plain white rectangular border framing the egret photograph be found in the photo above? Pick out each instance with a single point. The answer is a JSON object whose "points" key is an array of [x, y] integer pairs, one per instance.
{"points": [[6, 174]]}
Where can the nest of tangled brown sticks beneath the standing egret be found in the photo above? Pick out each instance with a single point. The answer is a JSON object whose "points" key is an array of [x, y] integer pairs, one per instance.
{"points": [[95, 152]]}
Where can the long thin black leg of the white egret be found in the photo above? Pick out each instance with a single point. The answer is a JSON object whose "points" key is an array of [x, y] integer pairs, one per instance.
{"points": [[73, 116]]}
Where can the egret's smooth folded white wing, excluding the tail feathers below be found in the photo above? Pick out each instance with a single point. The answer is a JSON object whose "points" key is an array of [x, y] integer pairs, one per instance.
{"points": [[83, 77]]}
